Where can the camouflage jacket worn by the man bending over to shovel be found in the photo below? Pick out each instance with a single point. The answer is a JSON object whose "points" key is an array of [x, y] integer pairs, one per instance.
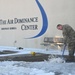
{"points": [[68, 34]]}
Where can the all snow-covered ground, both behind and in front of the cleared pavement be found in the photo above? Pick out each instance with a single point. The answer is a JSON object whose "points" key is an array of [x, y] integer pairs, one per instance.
{"points": [[55, 66]]}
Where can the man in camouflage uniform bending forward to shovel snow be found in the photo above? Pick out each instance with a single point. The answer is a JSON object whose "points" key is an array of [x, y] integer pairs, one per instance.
{"points": [[69, 39]]}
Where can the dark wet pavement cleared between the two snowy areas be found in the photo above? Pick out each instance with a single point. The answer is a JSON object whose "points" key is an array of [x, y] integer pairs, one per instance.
{"points": [[29, 57]]}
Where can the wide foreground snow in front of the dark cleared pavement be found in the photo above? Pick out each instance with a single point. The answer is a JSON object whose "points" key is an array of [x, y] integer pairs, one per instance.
{"points": [[36, 68]]}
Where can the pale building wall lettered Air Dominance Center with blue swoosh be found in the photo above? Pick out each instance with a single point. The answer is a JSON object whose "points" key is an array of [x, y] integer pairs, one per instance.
{"points": [[25, 23]]}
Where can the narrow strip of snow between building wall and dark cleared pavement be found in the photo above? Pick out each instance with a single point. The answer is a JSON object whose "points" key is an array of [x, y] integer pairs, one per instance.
{"points": [[29, 50]]}
